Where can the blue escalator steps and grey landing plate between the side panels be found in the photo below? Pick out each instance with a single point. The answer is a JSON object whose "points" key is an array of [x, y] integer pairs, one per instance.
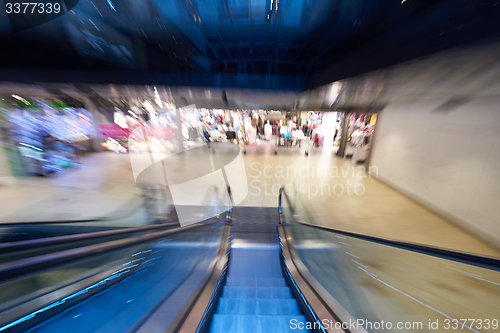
{"points": [[256, 296]]}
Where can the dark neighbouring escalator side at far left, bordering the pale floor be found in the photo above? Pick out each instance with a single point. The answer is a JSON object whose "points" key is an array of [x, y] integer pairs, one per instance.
{"points": [[23, 240]]}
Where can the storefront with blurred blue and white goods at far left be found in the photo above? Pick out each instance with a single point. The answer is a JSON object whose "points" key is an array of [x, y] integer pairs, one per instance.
{"points": [[47, 133]]}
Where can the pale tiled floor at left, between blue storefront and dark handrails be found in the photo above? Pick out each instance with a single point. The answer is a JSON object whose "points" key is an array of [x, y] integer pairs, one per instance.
{"points": [[102, 187]]}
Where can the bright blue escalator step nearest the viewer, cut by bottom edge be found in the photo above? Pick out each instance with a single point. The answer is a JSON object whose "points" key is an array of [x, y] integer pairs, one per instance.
{"points": [[222, 323]]}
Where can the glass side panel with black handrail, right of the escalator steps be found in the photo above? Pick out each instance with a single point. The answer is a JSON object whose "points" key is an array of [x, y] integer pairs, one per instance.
{"points": [[371, 279]]}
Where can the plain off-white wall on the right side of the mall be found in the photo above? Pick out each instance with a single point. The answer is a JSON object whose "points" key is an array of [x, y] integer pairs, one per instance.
{"points": [[447, 160]]}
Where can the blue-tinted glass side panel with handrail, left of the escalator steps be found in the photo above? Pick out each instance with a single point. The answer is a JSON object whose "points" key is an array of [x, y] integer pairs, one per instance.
{"points": [[164, 264]]}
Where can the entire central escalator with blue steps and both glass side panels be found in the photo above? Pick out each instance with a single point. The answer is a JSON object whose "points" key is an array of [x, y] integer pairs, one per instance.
{"points": [[263, 270]]}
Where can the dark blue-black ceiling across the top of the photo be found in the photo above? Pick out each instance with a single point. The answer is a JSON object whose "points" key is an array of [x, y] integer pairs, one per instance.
{"points": [[280, 44]]}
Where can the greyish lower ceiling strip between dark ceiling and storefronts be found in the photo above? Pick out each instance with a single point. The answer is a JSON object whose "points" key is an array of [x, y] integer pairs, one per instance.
{"points": [[448, 79]]}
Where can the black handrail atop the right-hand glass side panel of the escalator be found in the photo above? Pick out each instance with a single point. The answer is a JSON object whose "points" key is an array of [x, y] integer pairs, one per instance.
{"points": [[409, 246]]}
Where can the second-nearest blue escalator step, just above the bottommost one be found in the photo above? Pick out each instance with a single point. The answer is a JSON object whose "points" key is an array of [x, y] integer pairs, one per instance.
{"points": [[258, 306]]}
